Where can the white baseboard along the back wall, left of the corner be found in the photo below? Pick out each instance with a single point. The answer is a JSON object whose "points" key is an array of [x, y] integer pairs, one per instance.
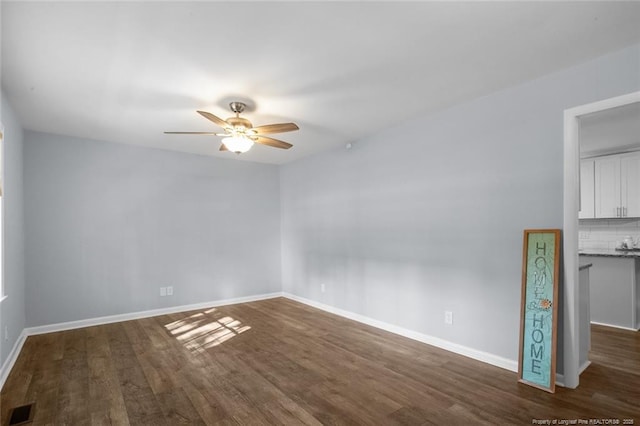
{"points": [[31, 331]]}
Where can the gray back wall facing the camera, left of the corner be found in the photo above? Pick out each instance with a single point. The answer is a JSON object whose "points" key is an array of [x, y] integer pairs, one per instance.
{"points": [[108, 224]]}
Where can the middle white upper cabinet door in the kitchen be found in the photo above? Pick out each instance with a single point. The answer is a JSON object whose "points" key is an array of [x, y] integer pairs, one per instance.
{"points": [[607, 182]]}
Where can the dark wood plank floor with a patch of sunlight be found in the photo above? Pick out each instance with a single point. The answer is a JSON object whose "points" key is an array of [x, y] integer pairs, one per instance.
{"points": [[281, 362]]}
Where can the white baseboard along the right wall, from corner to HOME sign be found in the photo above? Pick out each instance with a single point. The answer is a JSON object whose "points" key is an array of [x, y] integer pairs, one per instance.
{"points": [[486, 357]]}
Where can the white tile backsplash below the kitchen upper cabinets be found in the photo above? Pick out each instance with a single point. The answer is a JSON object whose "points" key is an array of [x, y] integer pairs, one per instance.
{"points": [[606, 233]]}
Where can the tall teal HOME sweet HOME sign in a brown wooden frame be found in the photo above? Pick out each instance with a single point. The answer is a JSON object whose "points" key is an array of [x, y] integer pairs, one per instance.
{"points": [[539, 308]]}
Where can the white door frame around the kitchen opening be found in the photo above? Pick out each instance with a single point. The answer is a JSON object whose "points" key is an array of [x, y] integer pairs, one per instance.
{"points": [[571, 326]]}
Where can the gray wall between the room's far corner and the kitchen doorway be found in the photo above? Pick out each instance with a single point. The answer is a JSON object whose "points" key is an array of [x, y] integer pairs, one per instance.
{"points": [[428, 216]]}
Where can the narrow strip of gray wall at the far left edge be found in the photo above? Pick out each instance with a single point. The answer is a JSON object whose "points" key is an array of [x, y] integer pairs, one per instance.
{"points": [[12, 309]]}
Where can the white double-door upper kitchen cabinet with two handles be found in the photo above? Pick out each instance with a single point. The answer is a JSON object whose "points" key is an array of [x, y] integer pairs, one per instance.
{"points": [[617, 185]]}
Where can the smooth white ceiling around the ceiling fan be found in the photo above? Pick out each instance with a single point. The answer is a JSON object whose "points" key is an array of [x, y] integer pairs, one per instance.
{"points": [[126, 72]]}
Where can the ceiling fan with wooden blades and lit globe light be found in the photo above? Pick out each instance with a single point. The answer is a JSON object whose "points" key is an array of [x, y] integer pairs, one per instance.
{"points": [[240, 135]]}
